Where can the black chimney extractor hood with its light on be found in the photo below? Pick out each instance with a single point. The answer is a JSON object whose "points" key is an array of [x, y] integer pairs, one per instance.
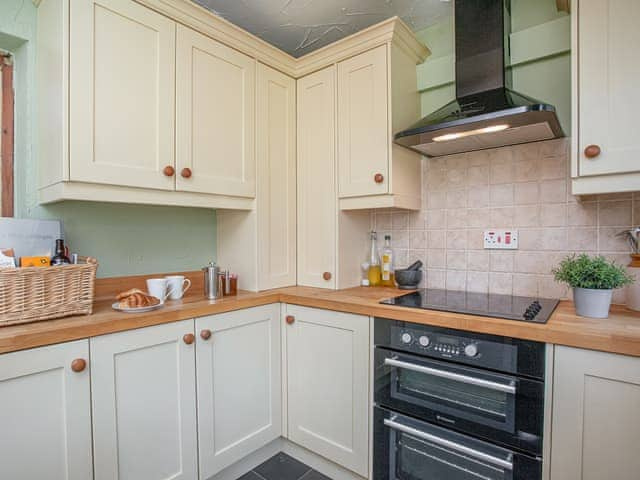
{"points": [[486, 113]]}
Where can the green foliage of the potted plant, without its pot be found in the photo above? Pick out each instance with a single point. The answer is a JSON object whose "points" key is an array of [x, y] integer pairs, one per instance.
{"points": [[597, 273]]}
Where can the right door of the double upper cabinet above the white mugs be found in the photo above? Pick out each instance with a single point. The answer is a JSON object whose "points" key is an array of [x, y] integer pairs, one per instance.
{"points": [[215, 104]]}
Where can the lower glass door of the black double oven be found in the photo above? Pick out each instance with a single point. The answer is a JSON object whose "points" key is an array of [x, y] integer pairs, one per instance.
{"points": [[407, 449]]}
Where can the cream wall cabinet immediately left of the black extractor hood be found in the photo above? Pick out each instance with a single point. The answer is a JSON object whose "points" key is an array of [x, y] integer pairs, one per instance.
{"points": [[377, 96]]}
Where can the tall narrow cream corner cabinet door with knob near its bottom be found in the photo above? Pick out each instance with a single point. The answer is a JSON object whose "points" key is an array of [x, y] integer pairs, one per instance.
{"points": [[316, 179]]}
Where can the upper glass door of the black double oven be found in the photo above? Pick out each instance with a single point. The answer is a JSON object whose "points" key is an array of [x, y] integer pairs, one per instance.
{"points": [[506, 408]]}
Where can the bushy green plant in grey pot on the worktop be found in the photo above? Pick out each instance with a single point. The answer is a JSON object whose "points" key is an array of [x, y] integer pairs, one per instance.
{"points": [[593, 280]]}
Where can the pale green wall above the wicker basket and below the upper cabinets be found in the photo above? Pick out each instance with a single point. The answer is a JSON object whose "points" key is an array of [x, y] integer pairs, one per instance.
{"points": [[126, 239]]}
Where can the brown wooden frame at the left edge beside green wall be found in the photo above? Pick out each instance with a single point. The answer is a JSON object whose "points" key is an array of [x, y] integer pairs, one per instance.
{"points": [[7, 110]]}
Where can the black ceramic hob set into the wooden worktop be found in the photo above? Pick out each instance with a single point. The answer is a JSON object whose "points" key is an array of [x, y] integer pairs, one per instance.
{"points": [[526, 309]]}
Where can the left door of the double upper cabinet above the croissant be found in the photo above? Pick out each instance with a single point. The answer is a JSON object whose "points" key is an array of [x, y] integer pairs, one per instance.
{"points": [[122, 59]]}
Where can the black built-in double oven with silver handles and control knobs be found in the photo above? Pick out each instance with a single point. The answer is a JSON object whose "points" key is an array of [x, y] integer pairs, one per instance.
{"points": [[456, 405]]}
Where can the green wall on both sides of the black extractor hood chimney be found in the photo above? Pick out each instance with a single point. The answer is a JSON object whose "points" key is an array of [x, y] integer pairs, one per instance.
{"points": [[547, 79]]}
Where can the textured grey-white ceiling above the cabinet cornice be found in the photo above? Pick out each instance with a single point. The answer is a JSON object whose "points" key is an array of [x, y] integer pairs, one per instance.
{"points": [[302, 26]]}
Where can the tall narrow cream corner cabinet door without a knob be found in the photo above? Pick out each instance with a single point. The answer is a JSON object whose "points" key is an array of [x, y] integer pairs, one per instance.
{"points": [[276, 178]]}
